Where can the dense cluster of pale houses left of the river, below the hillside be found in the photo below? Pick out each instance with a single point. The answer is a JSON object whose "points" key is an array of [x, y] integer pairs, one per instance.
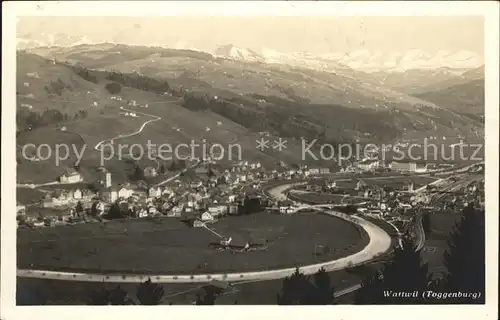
{"points": [[207, 193]]}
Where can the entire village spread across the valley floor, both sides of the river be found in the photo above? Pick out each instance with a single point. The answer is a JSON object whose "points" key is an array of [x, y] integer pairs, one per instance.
{"points": [[205, 191]]}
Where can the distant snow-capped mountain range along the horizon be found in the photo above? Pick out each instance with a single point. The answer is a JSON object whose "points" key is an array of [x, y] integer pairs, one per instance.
{"points": [[363, 60]]}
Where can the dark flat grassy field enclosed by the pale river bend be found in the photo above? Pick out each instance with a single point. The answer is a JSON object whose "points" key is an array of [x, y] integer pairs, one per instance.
{"points": [[168, 246]]}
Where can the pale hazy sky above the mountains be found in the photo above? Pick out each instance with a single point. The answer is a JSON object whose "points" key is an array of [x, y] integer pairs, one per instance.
{"points": [[286, 34]]}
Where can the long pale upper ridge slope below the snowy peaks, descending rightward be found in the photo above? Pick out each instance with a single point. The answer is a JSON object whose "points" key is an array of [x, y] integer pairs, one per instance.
{"points": [[237, 76]]}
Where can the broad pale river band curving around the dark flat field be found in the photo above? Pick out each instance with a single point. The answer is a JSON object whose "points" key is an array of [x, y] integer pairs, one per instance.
{"points": [[379, 243]]}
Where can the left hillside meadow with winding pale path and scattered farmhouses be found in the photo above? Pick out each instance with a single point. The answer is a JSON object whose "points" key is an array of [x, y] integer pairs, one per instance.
{"points": [[178, 124]]}
